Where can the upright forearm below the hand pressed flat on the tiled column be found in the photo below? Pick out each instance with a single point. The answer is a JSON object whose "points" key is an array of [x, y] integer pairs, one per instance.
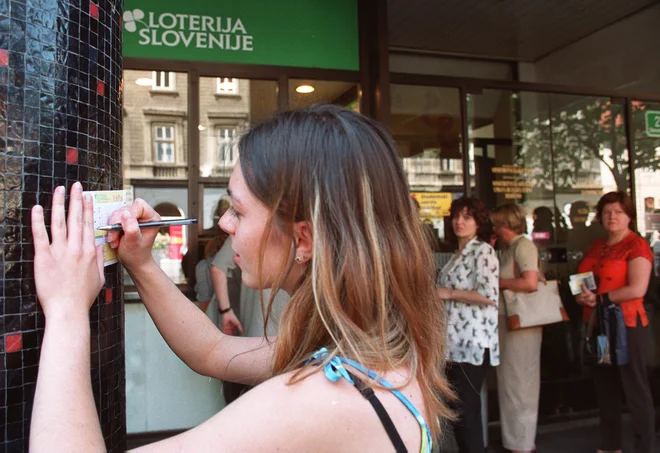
{"points": [[64, 417]]}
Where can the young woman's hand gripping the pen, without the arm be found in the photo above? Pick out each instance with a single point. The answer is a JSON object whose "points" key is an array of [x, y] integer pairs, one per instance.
{"points": [[134, 245]]}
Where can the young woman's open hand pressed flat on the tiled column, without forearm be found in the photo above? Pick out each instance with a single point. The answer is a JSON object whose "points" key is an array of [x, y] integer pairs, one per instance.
{"points": [[68, 272]]}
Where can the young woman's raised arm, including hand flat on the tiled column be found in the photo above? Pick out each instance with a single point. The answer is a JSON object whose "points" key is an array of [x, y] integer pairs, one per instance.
{"points": [[68, 277]]}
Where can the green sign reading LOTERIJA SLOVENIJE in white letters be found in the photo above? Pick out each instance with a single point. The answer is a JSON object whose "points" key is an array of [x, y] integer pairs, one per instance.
{"points": [[304, 33]]}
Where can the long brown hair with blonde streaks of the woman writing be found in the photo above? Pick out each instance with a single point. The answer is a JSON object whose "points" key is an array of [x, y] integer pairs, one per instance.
{"points": [[368, 293]]}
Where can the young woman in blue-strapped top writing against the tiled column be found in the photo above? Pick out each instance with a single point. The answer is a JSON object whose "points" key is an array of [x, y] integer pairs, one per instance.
{"points": [[320, 209]]}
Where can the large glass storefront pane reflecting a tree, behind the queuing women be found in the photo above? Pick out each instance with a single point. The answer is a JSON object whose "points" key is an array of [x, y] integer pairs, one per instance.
{"points": [[555, 155]]}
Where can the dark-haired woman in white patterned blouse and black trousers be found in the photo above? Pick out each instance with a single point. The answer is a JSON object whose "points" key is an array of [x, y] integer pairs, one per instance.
{"points": [[469, 286]]}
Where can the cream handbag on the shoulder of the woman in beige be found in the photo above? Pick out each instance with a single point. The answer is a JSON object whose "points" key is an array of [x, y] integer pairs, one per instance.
{"points": [[535, 309]]}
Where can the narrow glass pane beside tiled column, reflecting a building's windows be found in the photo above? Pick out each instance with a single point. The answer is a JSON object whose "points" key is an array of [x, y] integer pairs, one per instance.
{"points": [[155, 158]]}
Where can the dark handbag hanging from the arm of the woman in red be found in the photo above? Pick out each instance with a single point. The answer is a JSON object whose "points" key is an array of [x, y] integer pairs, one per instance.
{"points": [[608, 345]]}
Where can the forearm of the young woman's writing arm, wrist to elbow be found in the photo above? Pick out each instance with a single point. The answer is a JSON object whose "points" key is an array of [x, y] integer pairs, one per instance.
{"points": [[186, 329]]}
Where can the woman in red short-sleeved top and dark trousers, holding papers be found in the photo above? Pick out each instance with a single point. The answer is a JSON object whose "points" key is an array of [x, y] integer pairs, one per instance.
{"points": [[622, 265]]}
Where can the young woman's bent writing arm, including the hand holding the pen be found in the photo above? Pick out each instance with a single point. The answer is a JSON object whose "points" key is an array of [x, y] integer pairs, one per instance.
{"points": [[190, 333]]}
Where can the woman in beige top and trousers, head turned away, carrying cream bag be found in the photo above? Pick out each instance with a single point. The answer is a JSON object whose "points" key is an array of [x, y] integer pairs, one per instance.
{"points": [[519, 373]]}
